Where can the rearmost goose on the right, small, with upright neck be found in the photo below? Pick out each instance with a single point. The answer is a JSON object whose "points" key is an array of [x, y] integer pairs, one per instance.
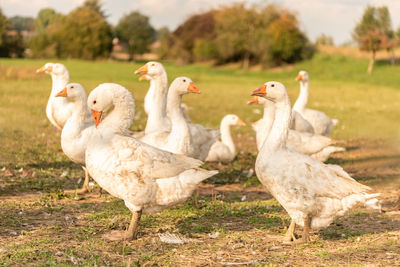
{"points": [[321, 123]]}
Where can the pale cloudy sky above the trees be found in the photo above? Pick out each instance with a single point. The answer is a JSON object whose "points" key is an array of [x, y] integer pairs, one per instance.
{"points": [[336, 18]]}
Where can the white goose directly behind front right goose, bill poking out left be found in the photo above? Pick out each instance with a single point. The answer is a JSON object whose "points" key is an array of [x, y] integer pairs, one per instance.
{"points": [[317, 146]]}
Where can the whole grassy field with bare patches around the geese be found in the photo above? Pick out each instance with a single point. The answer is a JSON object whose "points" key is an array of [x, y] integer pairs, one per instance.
{"points": [[231, 219]]}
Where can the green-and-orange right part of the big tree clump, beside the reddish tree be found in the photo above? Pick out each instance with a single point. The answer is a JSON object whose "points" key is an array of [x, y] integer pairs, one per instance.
{"points": [[269, 35]]}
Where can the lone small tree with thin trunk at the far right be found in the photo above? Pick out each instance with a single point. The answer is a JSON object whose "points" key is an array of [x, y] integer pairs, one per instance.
{"points": [[373, 32]]}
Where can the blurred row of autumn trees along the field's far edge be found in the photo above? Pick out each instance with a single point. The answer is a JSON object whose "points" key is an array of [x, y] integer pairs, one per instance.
{"points": [[268, 34]]}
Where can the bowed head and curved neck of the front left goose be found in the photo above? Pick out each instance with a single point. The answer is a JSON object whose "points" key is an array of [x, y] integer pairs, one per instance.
{"points": [[110, 96]]}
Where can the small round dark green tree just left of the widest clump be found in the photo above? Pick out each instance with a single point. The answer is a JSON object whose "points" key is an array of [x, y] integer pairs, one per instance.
{"points": [[135, 29]]}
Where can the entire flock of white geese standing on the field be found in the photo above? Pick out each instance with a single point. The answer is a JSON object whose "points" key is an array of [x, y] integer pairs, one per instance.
{"points": [[160, 167]]}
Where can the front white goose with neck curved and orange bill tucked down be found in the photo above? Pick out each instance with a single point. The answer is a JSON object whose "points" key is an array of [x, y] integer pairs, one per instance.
{"points": [[146, 178]]}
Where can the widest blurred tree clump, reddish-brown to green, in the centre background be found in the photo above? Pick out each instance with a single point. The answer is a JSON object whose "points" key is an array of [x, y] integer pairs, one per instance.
{"points": [[265, 34]]}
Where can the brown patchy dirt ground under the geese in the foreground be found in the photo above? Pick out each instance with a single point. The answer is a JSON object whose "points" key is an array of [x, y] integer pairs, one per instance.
{"points": [[228, 222]]}
